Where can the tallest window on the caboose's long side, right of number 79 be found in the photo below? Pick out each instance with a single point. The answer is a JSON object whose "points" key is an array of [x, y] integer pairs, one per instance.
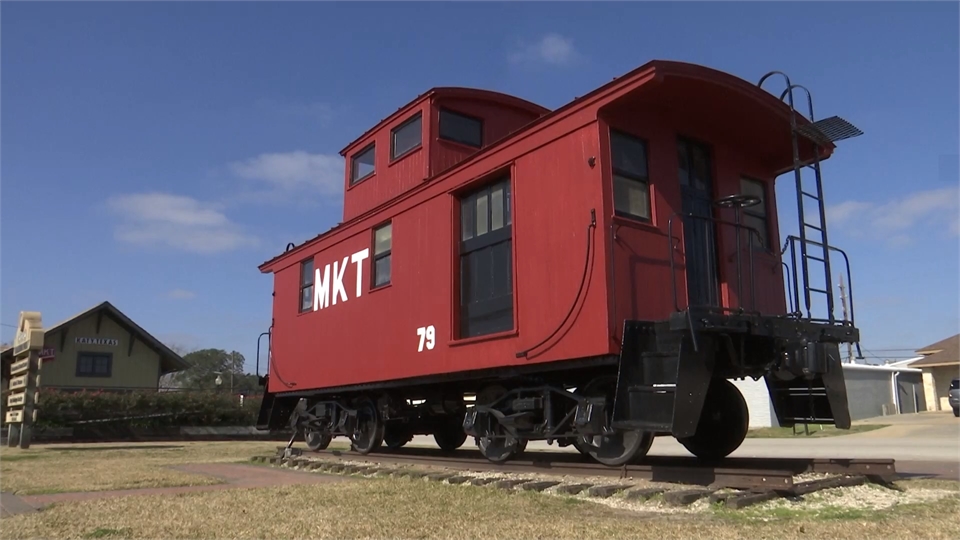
{"points": [[486, 261]]}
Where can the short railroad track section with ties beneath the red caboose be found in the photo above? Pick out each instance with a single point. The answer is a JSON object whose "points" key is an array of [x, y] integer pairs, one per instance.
{"points": [[734, 482]]}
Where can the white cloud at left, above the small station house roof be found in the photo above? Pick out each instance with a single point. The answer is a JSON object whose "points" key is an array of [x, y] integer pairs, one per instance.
{"points": [[175, 221]]}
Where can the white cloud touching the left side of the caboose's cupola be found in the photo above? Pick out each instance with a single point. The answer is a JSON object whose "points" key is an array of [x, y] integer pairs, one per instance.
{"points": [[296, 173]]}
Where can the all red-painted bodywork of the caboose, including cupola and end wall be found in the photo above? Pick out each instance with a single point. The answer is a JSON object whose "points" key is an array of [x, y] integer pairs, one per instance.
{"points": [[373, 337]]}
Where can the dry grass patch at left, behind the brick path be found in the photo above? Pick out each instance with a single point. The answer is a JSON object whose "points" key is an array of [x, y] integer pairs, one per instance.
{"points": [[98, 467]]}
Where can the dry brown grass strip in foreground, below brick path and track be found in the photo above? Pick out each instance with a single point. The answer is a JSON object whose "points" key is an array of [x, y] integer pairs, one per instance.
{"points": [[403, 508]]}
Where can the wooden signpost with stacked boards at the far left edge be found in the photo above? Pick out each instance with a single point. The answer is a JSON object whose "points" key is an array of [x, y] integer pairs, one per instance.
{"points": [[25, 378]]}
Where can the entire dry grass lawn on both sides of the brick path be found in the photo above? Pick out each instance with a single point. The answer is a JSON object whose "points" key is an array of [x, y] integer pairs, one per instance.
{"points": [[403, 508]]}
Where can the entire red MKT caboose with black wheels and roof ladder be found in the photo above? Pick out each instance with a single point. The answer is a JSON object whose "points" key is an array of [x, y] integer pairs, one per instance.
{"points": [[594, 275]]}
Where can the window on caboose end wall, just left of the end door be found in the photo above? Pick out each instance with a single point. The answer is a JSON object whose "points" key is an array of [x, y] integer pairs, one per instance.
{"points": [[631, 183]]}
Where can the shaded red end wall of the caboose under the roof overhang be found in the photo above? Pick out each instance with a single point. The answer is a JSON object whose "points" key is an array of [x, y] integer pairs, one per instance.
{"points": [[641, 251]]}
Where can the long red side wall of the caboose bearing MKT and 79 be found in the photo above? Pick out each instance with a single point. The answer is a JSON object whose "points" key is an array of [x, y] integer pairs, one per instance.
{"points": [[554, 190]]}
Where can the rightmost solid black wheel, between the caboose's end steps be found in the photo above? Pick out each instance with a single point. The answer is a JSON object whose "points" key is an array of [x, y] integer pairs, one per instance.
{"points": [[723, 423]]}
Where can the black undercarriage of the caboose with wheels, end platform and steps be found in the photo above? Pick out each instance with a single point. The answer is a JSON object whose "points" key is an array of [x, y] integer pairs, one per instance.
{"points": [[673, 377]]}
